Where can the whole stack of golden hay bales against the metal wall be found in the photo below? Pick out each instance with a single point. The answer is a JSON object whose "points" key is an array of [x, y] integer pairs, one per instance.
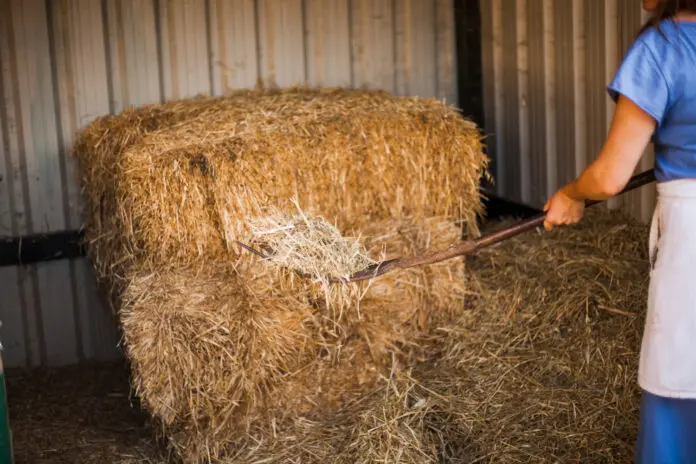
{"points": [[227, 352]]}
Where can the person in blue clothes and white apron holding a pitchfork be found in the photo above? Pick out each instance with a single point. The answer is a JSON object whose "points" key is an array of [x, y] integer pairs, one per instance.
{"points": [[655, 94]]}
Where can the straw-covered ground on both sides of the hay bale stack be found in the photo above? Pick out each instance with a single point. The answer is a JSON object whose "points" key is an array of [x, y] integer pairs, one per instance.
{"points": [[539, 367]]}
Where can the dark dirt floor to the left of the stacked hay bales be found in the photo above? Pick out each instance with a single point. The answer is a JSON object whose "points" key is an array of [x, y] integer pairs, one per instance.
{"points": [[78, 415]]}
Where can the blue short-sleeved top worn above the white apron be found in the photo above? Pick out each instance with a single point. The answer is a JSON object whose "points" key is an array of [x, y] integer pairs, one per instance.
{"points": [[659, 75]]}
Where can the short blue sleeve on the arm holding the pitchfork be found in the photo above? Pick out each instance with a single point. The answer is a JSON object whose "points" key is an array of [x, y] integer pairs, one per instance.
{"points": [[641, 80]]}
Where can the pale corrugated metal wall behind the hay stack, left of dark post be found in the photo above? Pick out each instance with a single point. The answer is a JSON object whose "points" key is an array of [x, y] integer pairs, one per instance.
{"points": [[65, 62]]}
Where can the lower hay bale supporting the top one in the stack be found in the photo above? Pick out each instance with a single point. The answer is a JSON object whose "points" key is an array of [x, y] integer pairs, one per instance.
{"points": [[216, 354]]}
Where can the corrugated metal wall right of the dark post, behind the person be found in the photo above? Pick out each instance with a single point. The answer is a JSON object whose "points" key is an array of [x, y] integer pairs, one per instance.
{"points": [[546, 64]]}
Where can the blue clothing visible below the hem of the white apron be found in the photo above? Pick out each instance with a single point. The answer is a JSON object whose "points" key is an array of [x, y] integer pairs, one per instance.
{"points": [[667, 431]]}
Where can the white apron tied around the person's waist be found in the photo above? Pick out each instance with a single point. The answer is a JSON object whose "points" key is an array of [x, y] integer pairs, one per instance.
{"points": [[668, 352]]}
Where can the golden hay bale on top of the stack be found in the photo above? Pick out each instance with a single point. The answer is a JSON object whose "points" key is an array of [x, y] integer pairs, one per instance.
{"points": [[172, 184]]}
